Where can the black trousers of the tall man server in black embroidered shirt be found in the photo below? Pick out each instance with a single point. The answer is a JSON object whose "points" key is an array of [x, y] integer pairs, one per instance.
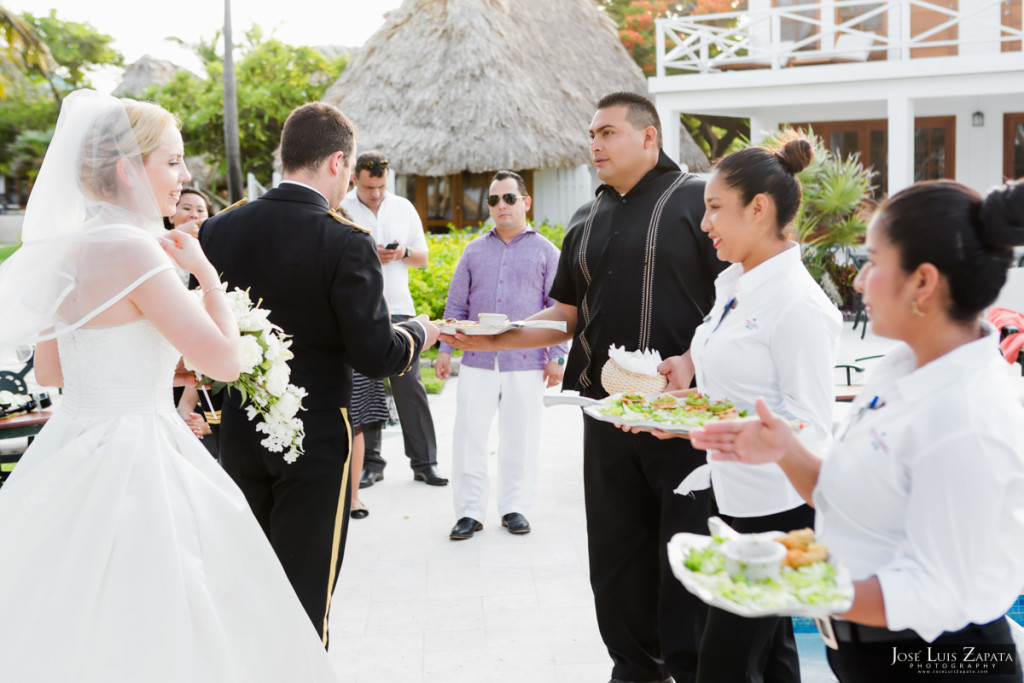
{"points": [[650, 623]]}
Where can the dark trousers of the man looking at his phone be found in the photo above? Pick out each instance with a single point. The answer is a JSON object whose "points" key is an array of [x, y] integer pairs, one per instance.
{"points": [[417, 423]]}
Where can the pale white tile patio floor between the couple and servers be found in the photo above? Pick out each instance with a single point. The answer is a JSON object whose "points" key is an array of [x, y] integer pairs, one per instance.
{"points": [[413, 606]]}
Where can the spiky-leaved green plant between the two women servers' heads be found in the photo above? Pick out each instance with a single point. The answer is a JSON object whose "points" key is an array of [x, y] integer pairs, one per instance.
{"points": [[831, 222]]}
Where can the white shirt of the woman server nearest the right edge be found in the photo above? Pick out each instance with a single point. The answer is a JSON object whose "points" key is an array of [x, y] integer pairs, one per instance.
{"points": [[926, 491]]}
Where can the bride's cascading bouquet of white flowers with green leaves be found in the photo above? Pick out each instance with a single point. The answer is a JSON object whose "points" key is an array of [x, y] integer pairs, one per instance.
{"points": [[265, 379]]}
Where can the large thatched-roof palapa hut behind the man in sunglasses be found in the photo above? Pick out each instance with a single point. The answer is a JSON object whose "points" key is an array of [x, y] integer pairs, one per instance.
{"points": [[453, 91]]}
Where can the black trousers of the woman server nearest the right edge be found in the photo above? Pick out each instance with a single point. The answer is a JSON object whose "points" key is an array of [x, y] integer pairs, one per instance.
{"points": [[949, 658]]}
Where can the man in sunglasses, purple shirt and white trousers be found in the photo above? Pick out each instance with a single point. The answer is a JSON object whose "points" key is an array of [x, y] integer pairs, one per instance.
{"points": [[508, 271]]}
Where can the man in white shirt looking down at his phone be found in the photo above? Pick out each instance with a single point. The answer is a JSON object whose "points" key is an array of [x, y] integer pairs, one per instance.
{"points": [[401, 245]]}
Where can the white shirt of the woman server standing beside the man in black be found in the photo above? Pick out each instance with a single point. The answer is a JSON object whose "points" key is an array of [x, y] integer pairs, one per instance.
{"points": [[779, 343]]}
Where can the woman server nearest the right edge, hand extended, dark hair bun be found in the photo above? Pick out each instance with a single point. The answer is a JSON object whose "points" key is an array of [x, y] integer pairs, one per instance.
{"points": [[923, 495]]}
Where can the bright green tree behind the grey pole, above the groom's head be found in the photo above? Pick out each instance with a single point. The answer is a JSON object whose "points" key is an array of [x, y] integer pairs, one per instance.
{"points": [[273, 79]]}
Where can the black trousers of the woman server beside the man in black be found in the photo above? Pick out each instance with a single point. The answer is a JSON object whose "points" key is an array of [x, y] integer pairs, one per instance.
{"points": [[737, 650]]}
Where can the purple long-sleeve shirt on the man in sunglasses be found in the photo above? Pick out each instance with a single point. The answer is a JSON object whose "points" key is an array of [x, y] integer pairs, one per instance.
{"points": [[514, 279]]}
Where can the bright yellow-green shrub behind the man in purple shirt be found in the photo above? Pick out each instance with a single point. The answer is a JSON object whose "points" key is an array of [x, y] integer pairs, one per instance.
{"points": [[430, 286]]}
